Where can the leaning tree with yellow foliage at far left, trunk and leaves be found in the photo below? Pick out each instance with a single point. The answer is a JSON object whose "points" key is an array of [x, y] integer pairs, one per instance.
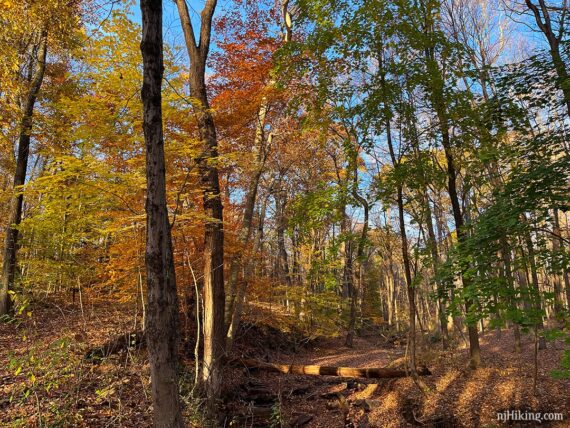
{"points": [[28, 32]]}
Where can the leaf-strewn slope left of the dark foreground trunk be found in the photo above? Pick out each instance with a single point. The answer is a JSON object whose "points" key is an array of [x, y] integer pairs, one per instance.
{"points": [[44, 380]]}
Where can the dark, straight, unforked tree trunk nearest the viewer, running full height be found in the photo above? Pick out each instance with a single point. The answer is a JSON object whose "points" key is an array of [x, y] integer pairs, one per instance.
{"points": [[162, 308]]}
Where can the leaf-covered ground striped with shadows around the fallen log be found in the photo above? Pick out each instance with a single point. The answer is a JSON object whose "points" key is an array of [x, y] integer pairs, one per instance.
{"points": [[459, 398]]}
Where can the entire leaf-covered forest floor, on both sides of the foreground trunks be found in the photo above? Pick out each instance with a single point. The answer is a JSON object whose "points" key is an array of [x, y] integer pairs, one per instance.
{"points": [[45, 379]]}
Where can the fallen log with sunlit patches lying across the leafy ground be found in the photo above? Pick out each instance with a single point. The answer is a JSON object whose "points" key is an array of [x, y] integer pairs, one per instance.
{"points": [[370, 372]]}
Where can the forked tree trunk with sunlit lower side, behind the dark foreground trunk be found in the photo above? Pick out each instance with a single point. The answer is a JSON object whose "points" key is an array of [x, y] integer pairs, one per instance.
{"points": [[214, 293]]}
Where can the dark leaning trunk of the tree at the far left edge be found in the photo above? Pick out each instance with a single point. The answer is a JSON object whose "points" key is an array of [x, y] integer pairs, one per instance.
{"points": [[11, 241]]}
